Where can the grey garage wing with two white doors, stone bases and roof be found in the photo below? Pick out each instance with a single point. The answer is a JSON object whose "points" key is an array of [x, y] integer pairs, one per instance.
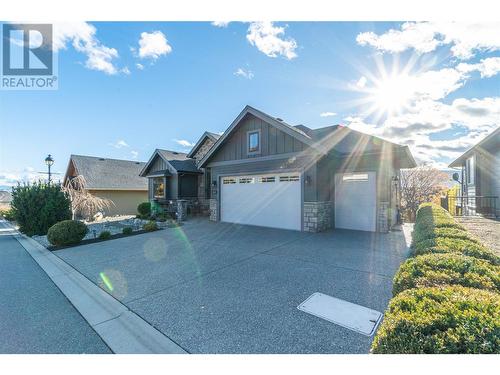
{"points": [[266, 172]]}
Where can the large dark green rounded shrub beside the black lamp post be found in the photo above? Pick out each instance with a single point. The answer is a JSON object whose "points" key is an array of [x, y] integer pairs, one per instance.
{"points": [[37, 207]]}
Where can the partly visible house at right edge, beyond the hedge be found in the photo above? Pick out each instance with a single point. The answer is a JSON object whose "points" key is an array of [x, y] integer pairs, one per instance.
{"points": [[480, 177]]}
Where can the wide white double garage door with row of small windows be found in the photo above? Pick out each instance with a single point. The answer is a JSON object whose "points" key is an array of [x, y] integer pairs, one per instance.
{"points": [[270, 200]]}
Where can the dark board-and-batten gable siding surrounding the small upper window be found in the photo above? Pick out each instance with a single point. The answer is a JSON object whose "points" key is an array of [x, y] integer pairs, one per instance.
{"points": [[273, 141]]}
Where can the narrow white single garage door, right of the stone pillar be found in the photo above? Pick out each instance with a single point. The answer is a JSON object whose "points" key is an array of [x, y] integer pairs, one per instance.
{"points": [[355, 201]]}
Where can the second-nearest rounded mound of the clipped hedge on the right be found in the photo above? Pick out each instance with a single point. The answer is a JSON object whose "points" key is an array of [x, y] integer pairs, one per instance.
{"points": [[446, 269]]}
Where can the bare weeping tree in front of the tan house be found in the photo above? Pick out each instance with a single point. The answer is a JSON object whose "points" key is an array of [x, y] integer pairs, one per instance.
{"points": [[82, 202]]}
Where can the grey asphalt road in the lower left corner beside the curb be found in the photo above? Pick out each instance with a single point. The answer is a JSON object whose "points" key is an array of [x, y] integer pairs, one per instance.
{"points": [[35, 317]]}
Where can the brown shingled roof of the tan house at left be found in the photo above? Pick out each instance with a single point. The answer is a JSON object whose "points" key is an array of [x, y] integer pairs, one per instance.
{"points": [[108, 174]]}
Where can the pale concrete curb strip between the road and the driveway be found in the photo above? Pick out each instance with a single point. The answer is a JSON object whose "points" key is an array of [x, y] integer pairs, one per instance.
{"points": [[121, 329]]}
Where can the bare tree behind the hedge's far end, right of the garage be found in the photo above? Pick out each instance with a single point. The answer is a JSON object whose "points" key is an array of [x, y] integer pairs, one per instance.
{"points": [[419, 185]]}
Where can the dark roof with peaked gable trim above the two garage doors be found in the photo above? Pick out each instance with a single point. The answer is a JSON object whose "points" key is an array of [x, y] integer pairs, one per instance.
{"points": [[337, 138]]}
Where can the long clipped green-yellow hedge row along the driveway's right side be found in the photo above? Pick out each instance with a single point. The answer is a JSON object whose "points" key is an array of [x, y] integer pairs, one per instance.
{"points": [[446, 297]]}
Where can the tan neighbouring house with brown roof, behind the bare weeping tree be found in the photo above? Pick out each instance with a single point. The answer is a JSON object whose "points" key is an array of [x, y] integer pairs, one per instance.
{"points": [[117, 180]]}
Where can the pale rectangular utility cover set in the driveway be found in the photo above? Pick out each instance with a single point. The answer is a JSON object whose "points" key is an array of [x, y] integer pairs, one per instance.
{"points": [[346, 314]]}
